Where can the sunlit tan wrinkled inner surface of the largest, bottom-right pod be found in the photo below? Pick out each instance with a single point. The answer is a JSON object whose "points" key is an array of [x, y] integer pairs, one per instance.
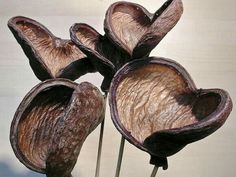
{"points": [[147, 101]]}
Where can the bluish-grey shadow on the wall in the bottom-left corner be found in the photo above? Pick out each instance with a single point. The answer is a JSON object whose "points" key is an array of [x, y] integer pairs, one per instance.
{"points": [[6, 171]]}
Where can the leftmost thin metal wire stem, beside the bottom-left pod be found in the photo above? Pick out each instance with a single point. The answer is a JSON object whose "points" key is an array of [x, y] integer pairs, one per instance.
{"points": [[98, 164]]}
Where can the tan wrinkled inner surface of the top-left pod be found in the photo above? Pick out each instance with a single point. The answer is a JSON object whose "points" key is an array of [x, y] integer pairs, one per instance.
{"points": [[55, 53]]}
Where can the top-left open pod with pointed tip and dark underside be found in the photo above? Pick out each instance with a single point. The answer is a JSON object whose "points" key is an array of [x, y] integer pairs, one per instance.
{"points": [[49, 56]]}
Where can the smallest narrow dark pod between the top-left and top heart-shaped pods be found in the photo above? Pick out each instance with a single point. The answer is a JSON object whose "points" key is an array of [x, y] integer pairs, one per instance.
{"points": [[104, 55]]}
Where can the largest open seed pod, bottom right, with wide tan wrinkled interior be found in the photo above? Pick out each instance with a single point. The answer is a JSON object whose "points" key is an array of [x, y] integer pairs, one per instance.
{"points": [[156, 106]]}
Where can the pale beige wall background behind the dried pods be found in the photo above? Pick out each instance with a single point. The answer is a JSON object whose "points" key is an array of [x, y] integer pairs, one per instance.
{"points": [[204, 42]]}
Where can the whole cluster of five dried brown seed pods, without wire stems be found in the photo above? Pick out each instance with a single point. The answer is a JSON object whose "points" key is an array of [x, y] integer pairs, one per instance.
{"points": [[154, 102]]}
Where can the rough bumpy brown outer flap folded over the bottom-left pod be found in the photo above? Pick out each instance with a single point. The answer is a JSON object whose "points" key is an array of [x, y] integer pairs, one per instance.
{"points": [[84, 114]]}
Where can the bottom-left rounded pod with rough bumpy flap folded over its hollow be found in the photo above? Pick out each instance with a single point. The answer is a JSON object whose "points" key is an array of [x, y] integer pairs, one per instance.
{"points": [[52, 122]]}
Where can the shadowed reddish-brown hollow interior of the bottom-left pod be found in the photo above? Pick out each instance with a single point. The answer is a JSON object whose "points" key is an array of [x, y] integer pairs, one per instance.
{"points": [[38, 122]]}
